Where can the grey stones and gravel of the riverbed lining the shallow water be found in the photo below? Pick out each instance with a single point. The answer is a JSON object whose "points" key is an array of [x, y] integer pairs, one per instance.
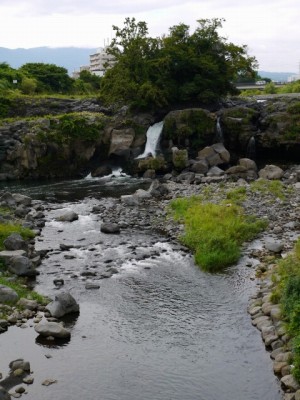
{"points": [[148, 209]]}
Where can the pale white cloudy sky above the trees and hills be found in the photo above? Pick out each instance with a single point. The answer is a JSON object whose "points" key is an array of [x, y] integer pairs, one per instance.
{"points": [[270, 28]]}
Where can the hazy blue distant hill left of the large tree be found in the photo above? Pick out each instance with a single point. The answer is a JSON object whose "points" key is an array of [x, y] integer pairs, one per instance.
{"points": [[70, 58]]}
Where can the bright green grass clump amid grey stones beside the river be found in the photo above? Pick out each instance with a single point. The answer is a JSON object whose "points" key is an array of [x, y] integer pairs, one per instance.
{"points": [[214, 232]]}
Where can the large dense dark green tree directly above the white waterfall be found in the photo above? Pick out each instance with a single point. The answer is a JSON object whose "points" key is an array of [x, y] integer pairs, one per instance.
{"points": [[178, 68]]}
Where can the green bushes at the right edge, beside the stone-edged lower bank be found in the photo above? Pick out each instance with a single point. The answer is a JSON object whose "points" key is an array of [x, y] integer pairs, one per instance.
{"points": [[287, 293]]}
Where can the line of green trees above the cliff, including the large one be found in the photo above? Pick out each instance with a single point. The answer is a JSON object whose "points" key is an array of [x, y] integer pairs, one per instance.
{"points": [[181, 67]]}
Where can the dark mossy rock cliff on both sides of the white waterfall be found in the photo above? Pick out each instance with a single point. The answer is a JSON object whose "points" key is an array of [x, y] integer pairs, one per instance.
{"points": [[73, 137]]}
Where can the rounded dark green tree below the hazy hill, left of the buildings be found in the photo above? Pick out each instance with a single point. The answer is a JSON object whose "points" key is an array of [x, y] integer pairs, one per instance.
{"points": [[50, 77]]}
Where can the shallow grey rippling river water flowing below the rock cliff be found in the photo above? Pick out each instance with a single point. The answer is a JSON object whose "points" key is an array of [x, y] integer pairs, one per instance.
{"points": [[159, 329]]}
